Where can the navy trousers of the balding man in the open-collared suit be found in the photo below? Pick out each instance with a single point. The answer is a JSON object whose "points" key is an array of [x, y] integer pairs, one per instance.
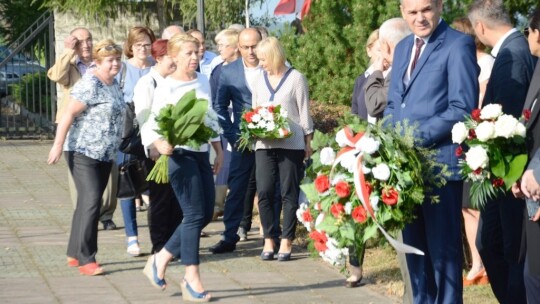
{"points": [[239, 173]]}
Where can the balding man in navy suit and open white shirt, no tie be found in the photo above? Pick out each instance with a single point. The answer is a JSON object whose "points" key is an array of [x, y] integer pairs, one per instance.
{"points": [[234, 88]]}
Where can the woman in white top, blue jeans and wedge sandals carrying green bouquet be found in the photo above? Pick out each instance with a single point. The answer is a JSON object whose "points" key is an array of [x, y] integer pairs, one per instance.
{"points": [[190, 173]]}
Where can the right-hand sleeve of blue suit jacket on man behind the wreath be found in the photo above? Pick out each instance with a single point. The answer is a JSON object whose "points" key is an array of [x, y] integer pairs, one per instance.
{"points": [[462, 92]]}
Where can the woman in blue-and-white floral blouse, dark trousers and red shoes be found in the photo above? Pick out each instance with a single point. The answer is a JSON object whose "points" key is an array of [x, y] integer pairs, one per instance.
{"points": [[89, 133]]}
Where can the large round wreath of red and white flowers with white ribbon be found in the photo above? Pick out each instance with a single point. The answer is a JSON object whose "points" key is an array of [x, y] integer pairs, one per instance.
{"points": [[365, 178]]}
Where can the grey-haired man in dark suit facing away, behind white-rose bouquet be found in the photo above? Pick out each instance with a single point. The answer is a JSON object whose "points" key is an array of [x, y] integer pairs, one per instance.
{"points": [[500, 228]]}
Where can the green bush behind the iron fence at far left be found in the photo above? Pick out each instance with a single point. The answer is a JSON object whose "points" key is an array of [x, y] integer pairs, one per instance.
{"points": [[31, 92]]}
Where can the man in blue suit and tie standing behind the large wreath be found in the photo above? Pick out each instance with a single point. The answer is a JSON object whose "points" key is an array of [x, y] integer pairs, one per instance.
{"points": [[434, 84]]}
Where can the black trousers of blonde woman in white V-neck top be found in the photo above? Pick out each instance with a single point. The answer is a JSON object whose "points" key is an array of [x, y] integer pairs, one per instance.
{"points": [[287, 165]]}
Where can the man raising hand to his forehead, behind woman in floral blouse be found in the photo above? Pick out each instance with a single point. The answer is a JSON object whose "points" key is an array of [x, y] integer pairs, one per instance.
{"points": [[68, 70]]}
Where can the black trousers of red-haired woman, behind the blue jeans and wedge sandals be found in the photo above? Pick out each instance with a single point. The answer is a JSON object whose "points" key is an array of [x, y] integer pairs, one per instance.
{"points": [[164, 213]]}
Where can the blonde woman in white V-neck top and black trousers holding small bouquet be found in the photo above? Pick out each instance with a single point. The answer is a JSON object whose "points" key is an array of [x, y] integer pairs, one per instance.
{"points": [[281, 158]]}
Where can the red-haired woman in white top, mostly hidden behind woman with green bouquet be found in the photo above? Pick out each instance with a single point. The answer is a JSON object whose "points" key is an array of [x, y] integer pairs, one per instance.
{"points": [[164, 213]]}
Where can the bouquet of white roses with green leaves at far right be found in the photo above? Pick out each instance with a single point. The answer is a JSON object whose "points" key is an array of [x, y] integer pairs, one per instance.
{"points": [[493, 151]]}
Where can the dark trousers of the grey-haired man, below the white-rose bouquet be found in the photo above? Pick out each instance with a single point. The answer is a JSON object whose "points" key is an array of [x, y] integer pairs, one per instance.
{"points": [[499, 241]]}
